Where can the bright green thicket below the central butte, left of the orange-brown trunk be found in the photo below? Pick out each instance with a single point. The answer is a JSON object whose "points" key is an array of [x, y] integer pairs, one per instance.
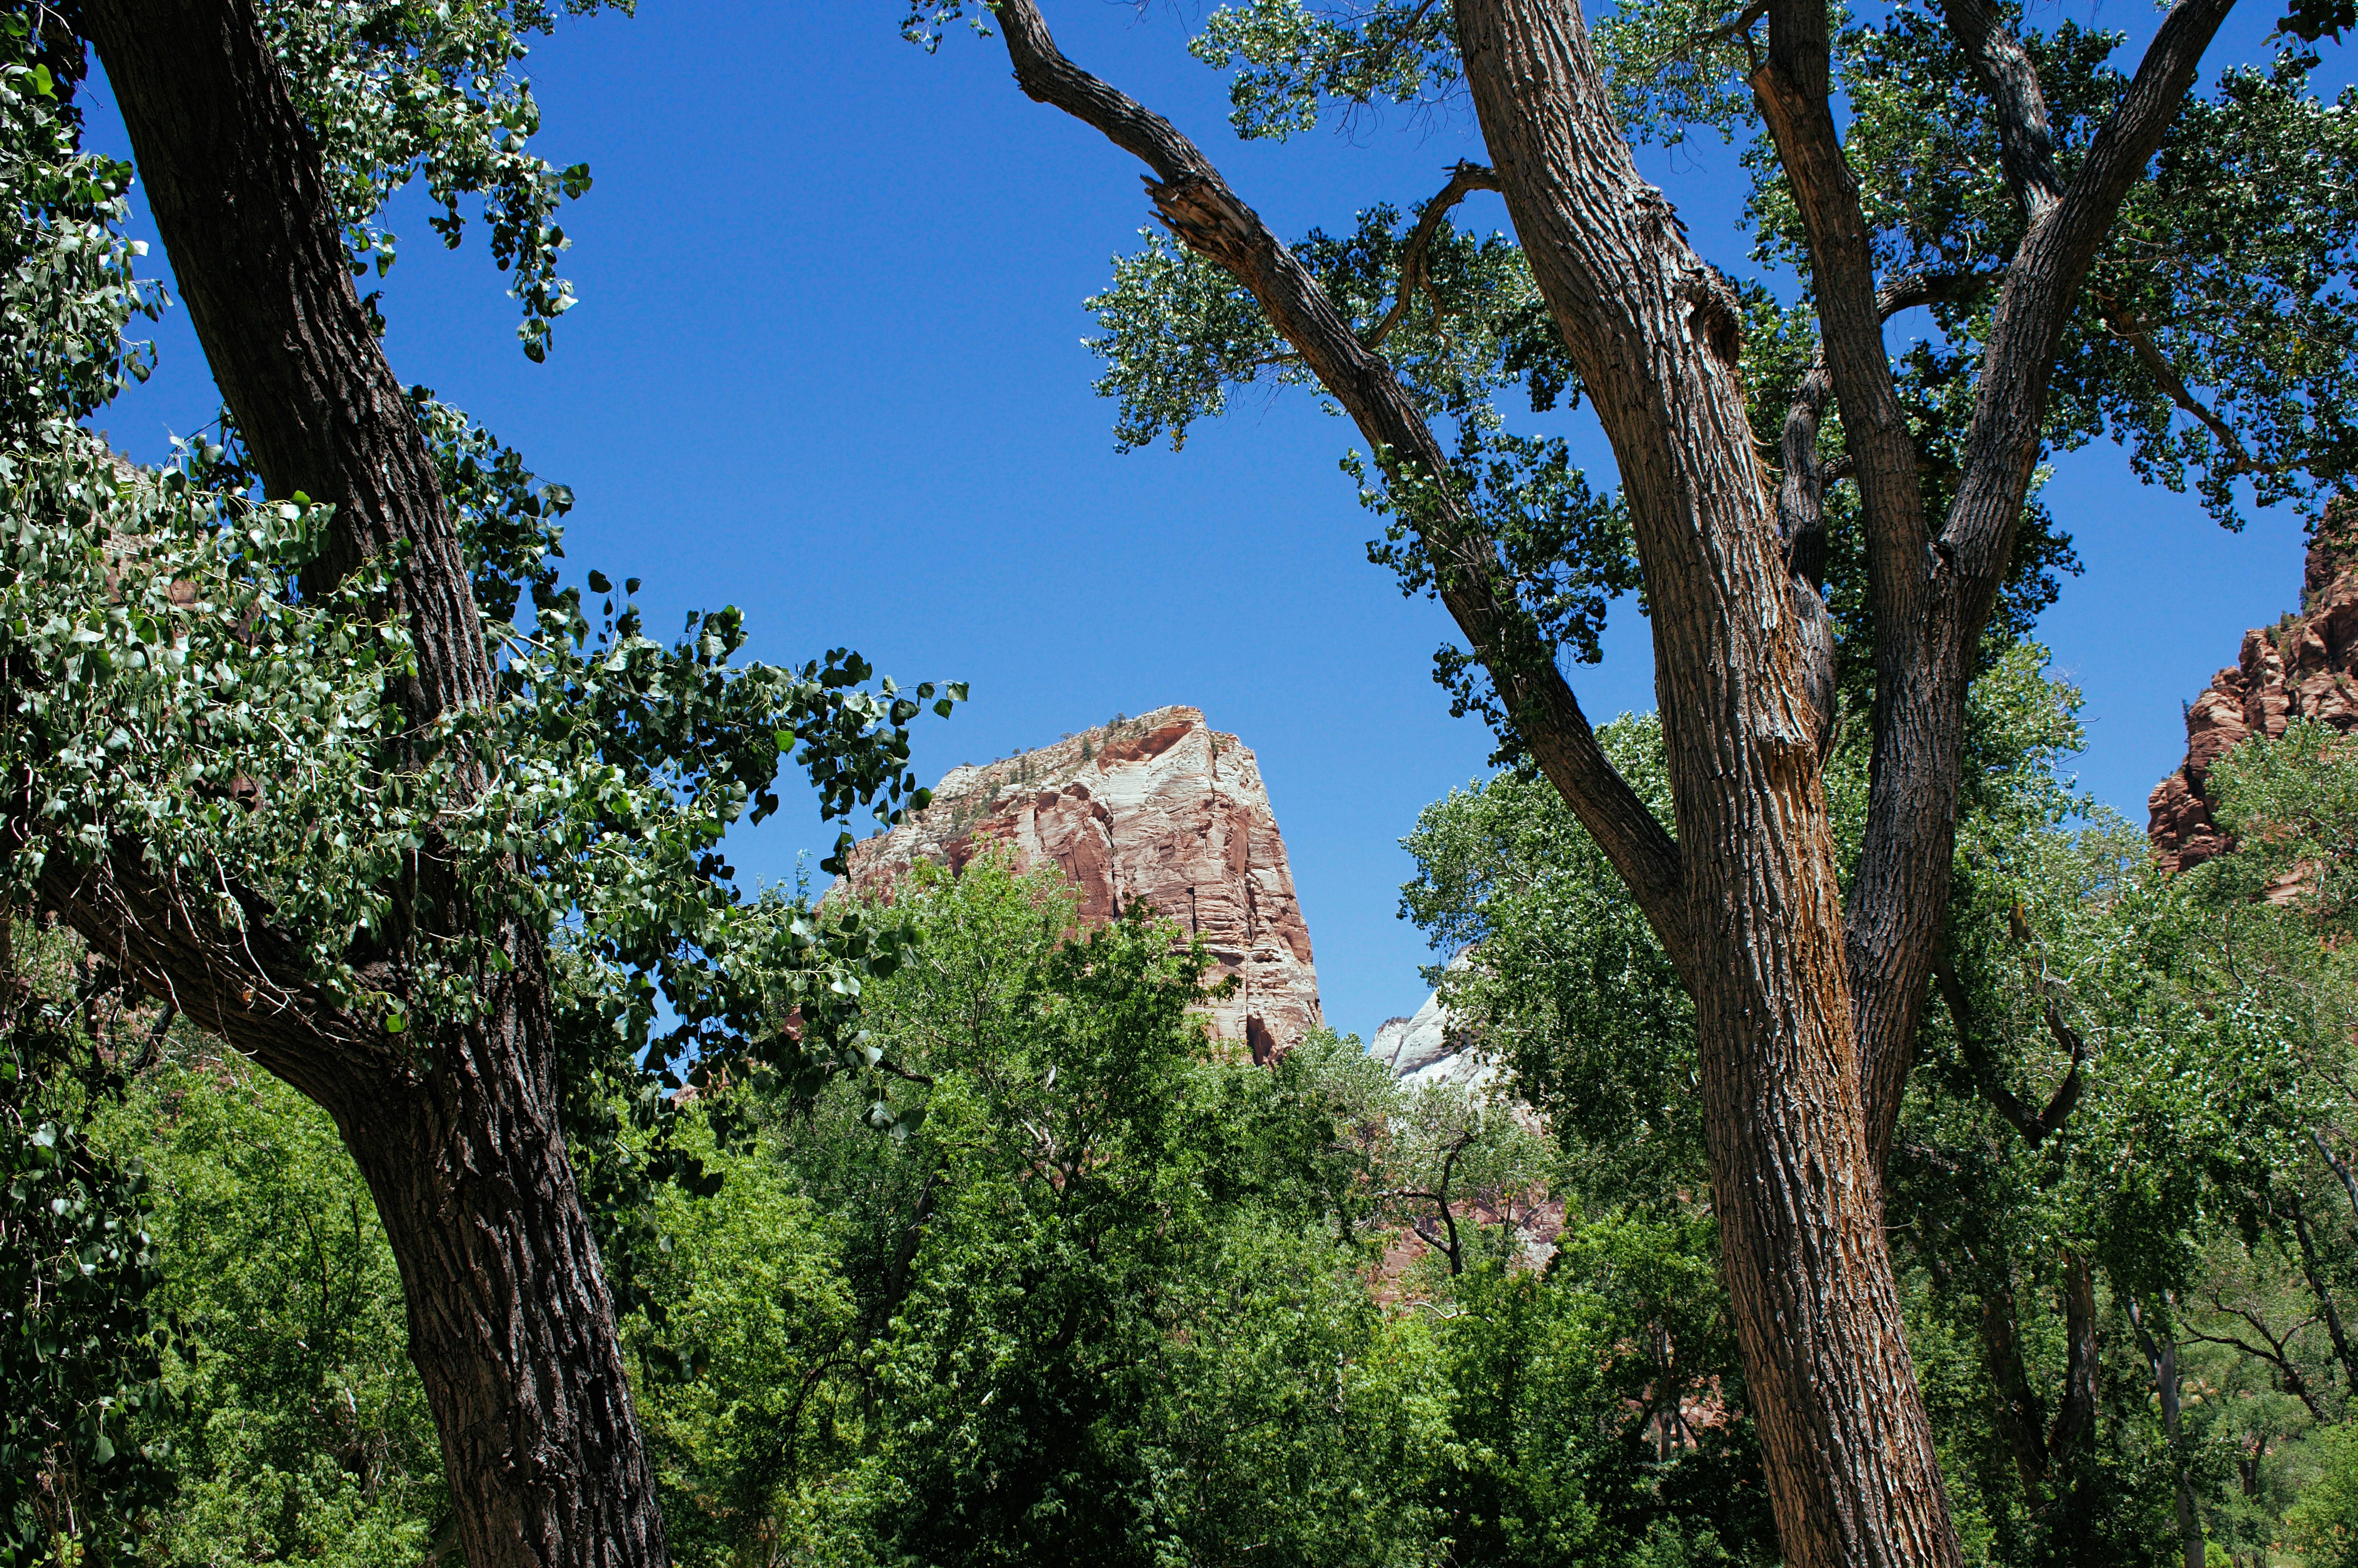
{"points": [[1114, 1293]]}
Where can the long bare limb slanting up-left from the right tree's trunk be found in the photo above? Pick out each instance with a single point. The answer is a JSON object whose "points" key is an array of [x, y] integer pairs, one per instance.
{"points": [[1211, 220]]}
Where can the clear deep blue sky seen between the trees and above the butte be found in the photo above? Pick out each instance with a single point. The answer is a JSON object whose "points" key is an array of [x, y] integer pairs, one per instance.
{"points": [[829, 369]]}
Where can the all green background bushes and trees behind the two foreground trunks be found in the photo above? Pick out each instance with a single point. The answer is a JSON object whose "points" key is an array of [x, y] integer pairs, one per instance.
{"points": [[1105, 1291]]}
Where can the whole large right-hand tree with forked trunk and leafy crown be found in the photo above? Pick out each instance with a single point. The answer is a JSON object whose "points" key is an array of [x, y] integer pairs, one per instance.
{"points": [[1991, 176]]}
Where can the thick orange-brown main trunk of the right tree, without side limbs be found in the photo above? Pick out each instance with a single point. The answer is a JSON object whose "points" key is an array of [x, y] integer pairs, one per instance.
{"points": [[1847, 1449]]}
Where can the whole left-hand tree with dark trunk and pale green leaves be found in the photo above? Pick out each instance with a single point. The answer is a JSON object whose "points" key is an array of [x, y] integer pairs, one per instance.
{"points": [[291, 763]]}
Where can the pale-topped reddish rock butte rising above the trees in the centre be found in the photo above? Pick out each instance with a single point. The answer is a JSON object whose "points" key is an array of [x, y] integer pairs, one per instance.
{"points": [[1154, 810]]}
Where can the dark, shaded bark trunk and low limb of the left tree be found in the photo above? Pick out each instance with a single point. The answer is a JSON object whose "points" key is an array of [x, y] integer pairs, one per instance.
{"points": [[454, 1126]]}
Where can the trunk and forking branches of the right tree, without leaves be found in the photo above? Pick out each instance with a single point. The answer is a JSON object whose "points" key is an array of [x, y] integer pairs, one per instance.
{"points": [[1807, 1010]]}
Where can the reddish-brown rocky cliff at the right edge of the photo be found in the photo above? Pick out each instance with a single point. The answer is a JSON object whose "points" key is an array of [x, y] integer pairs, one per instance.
{"points": [[2300, 668]]}
